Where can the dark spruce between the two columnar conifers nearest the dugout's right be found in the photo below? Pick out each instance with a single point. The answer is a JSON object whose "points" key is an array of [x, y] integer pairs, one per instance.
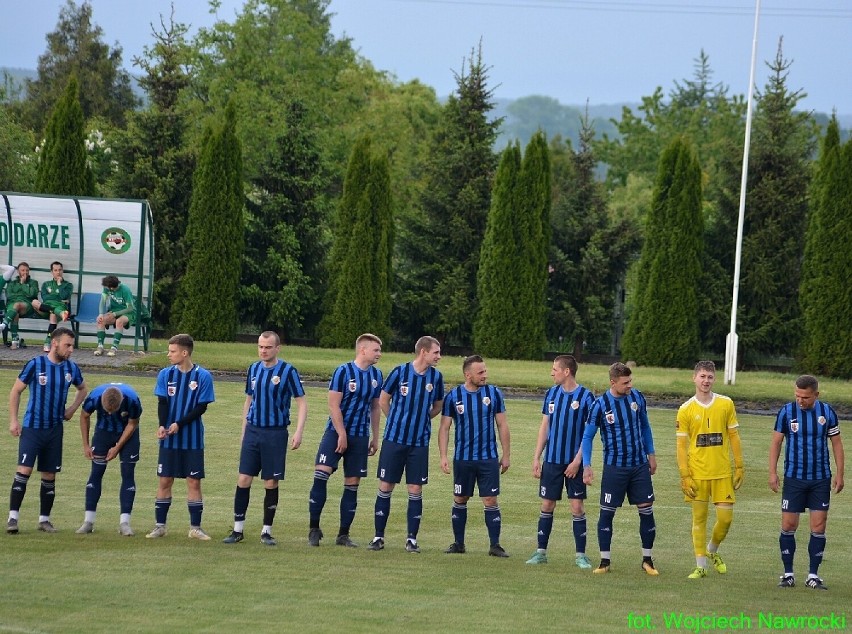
{"points": [[287, 234]]}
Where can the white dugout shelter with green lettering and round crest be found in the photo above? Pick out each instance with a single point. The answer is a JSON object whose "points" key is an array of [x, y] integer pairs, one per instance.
{"points": [[92, 237]]}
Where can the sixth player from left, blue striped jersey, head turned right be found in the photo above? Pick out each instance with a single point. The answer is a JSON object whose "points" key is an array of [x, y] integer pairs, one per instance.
{"points": [[411, 397]]}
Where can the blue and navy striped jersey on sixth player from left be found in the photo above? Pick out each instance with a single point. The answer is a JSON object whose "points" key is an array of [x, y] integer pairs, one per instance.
{"points": [[412, 396]]}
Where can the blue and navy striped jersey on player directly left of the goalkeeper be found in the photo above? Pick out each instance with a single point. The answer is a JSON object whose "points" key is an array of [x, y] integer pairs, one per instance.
{"points": [[625, 429]]}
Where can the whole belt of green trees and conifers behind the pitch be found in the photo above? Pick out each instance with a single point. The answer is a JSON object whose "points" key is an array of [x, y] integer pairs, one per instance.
{"points": [[297, 188]]}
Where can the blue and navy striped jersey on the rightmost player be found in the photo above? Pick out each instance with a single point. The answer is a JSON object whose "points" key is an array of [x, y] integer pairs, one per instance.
{"points": [[807, 432]]}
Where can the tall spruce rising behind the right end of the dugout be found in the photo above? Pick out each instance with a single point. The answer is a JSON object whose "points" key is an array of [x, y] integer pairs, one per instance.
{"points": [[155, 162]]}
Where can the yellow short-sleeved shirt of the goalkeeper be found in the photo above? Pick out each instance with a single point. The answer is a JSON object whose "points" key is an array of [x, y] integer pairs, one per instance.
{"points": [[706, 426]]}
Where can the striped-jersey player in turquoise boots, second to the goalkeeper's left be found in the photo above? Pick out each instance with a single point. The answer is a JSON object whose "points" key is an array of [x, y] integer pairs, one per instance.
{"points": [[564, 411]]}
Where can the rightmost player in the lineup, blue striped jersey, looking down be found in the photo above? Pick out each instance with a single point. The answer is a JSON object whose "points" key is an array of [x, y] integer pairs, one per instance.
{"points": [[808, 425]]}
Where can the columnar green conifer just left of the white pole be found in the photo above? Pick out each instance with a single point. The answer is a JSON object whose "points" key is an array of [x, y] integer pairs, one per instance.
{"points": [[663, 330]]}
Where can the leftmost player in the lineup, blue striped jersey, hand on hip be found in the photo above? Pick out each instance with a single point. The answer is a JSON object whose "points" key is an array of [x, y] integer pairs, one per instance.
{"points": [[48, 377]]}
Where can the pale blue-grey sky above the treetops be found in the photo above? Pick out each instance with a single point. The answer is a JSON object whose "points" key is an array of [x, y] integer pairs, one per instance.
{"points": [[603, 51]]}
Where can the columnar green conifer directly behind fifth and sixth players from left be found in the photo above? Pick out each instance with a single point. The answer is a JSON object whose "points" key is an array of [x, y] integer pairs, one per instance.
{"points": [[358, 299]]}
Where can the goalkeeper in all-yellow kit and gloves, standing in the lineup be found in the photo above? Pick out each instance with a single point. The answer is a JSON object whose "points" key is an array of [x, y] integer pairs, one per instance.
{"points": [[707, 434]]}
